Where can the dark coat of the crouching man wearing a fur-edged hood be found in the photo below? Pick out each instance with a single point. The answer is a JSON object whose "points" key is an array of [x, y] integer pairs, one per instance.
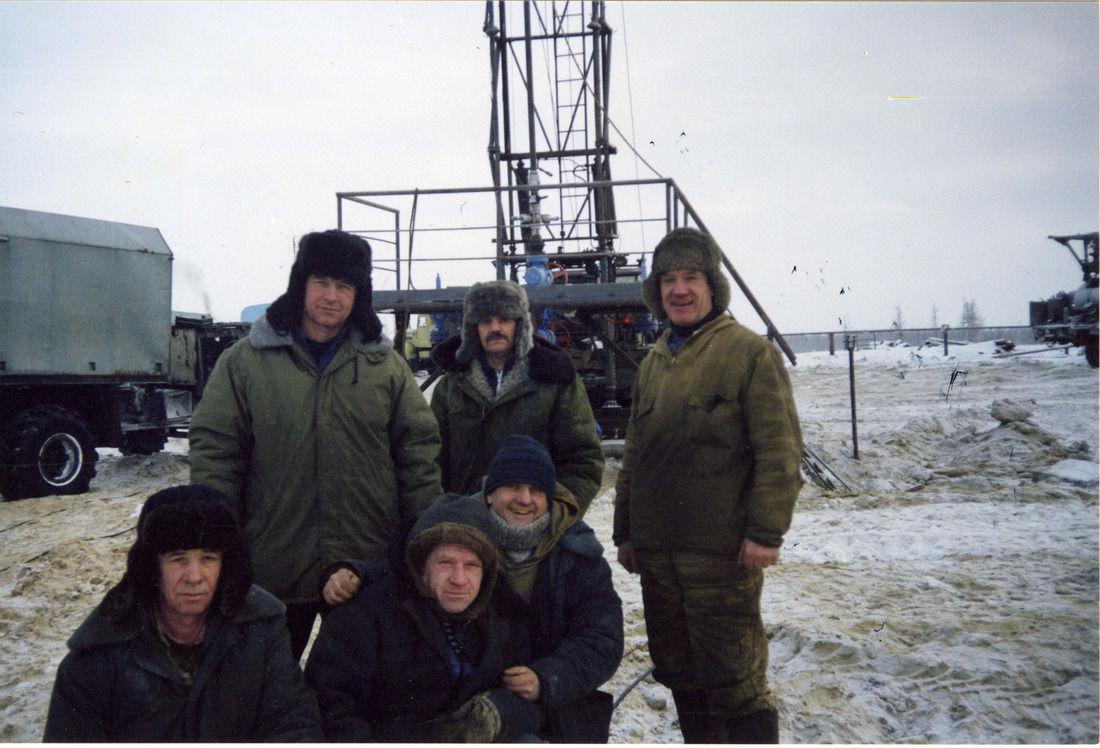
{"points": [[382, 667]]}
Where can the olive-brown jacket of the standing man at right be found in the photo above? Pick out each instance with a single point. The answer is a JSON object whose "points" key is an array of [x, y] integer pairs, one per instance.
{"points": [[713, 448]]}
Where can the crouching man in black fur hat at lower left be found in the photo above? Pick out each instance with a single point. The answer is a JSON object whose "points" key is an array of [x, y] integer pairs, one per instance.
{"points": [[185, 648]]}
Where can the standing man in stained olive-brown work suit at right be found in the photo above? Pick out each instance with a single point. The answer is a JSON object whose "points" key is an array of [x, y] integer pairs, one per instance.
{"points": [[711, 472]]}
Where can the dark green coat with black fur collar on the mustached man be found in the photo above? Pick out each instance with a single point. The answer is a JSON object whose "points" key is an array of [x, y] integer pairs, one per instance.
{"points": [[542, 398]]}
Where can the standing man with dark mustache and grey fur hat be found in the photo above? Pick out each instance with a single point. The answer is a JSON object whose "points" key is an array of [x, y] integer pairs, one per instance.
{"points": [[502, 380]]}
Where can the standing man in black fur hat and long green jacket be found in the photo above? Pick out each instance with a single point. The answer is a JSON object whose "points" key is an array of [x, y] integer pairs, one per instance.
{"points": [[317, 432]]}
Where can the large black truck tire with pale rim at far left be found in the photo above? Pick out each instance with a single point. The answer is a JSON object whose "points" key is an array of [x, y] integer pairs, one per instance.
{"points": [[48, 452]]}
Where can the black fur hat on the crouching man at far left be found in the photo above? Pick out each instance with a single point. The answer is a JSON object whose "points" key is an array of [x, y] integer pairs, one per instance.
{"points": [[179, 519]]}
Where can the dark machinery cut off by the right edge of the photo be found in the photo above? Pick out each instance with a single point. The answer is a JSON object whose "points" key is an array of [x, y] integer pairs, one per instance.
{"points": [[1071, 317]]}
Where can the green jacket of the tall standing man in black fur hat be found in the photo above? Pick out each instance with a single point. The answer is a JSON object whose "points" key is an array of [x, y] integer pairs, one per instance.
{"points": [[321, 466]]}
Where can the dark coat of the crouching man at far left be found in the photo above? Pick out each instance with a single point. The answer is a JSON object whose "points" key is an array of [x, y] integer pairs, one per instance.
{"points": [[118, 685]]}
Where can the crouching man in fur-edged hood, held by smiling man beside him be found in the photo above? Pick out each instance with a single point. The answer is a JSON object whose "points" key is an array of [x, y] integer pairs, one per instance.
{"points": [[419, 654]]}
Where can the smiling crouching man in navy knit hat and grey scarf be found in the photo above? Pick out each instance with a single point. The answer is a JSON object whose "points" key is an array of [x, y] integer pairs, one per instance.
{"points": [[559, 596]]}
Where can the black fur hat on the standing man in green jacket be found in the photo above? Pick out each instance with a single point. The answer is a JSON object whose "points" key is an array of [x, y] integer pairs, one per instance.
{"points": [[334, 255]]}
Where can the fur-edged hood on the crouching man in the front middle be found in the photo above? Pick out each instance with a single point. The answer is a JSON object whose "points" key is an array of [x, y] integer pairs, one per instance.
{"points": [[463, 521]]}
